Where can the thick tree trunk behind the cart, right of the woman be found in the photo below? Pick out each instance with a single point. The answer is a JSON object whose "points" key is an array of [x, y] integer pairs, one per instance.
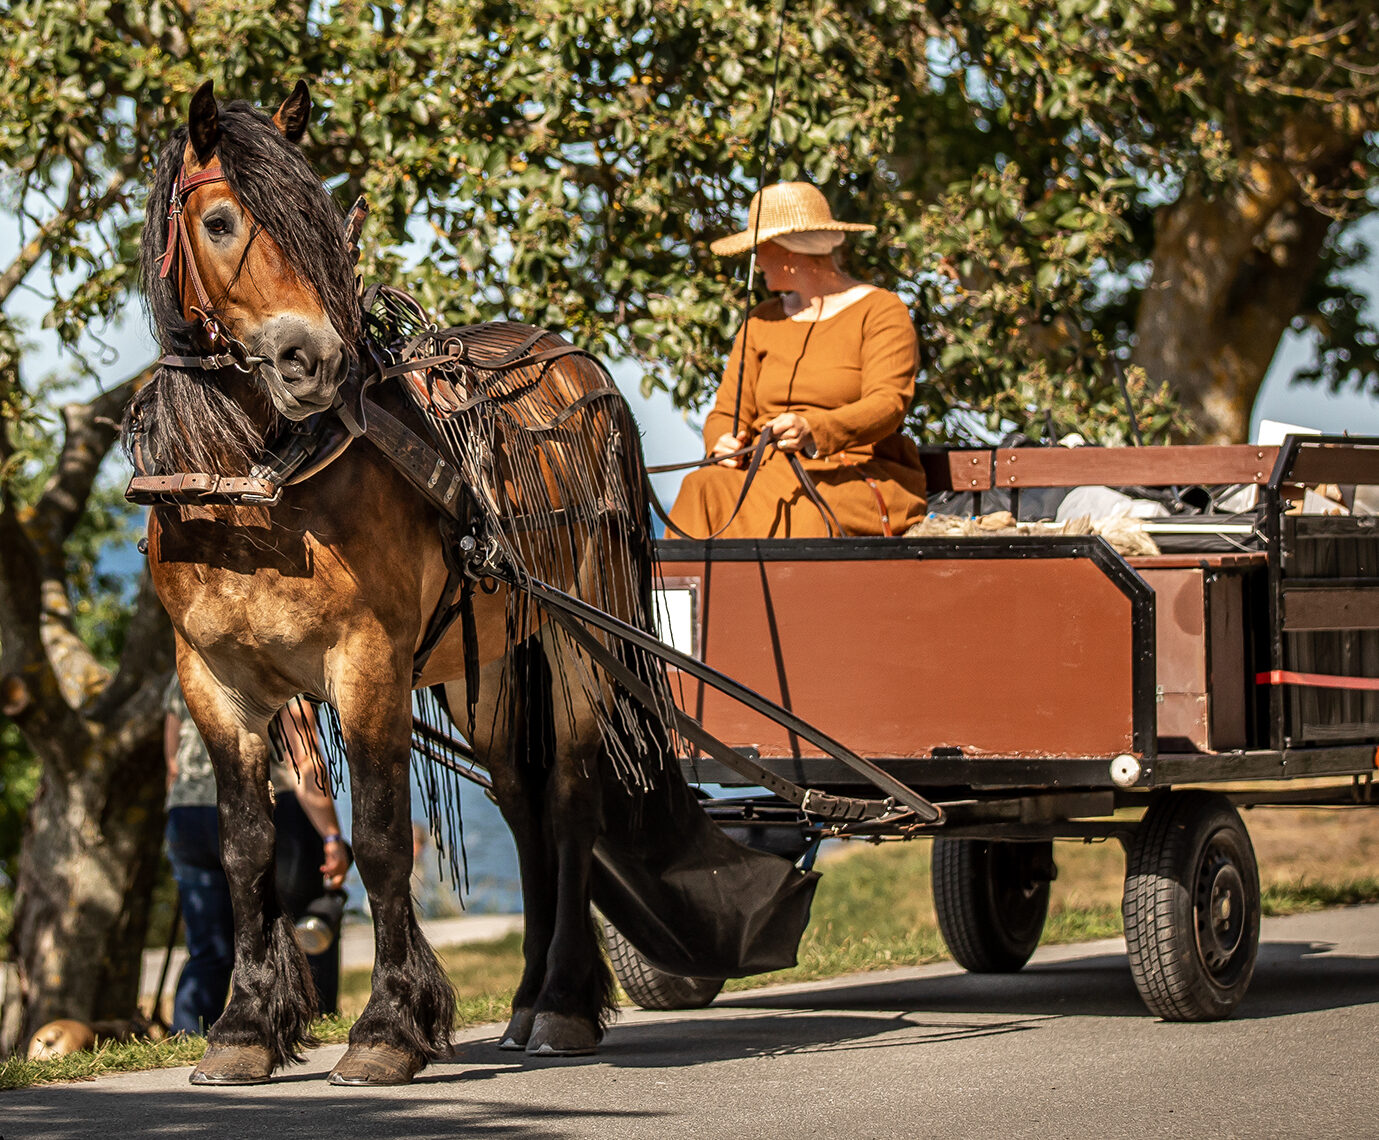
{"points": [[1231, 272]]}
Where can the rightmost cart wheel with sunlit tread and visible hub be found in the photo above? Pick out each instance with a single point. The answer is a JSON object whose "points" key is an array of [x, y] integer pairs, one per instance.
{"points": [[1192, 908]]}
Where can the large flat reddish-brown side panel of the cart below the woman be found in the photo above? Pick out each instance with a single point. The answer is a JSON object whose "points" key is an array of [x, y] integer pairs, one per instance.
{"points": [[897, 658]]}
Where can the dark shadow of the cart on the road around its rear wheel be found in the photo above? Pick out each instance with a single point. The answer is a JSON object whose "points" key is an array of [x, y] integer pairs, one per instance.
{"points": [[1290, 978]]}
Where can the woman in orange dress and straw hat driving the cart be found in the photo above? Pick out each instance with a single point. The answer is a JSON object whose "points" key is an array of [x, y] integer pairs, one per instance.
{"points": [[829, 373]]}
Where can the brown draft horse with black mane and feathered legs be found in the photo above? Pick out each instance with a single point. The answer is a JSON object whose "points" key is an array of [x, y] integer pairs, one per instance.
{"points": [[329, 593]]}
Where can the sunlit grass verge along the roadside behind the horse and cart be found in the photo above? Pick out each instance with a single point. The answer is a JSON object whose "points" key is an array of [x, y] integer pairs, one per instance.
{"points": [[874, 910]]}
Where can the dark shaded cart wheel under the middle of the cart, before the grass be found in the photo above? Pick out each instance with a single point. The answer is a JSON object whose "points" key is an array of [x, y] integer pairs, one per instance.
{"points": [[992, 899]]}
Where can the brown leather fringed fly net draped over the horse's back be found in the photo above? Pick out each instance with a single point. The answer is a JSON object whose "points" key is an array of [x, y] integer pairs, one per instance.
{"points": [[552, 460]]}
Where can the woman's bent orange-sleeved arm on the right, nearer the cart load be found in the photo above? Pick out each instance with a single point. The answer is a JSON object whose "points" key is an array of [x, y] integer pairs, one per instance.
{"points": [[890, 359]]}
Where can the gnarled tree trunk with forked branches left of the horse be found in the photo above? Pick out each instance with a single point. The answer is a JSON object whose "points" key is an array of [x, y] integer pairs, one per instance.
{"points": [[94, 832]]}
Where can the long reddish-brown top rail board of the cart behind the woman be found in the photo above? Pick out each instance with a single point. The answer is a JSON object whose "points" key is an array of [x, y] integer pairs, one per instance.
{"points": [[1140, 467]]}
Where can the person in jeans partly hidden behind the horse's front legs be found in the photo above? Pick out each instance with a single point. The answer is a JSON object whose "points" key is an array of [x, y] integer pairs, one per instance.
{"points": [[312, 857]]}
